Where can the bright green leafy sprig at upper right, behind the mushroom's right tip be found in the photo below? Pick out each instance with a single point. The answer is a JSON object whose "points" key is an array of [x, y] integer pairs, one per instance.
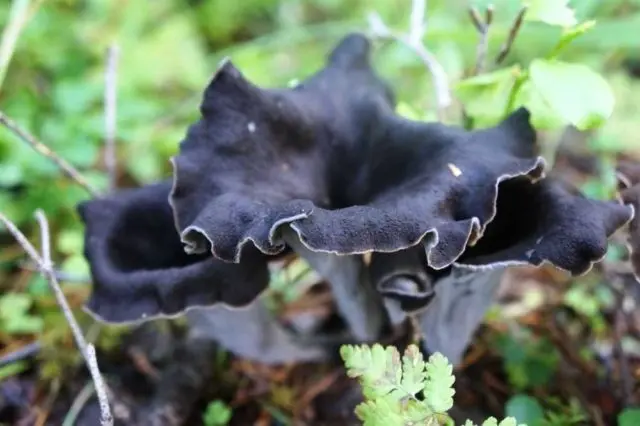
{"points": [[551, 89]]}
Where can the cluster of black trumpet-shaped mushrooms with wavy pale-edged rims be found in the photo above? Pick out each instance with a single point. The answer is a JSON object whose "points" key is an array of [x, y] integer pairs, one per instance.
{"points": [[328, 170]]}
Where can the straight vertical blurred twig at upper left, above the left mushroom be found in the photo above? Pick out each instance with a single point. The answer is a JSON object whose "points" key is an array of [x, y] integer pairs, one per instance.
{"points": [[110, 93]]}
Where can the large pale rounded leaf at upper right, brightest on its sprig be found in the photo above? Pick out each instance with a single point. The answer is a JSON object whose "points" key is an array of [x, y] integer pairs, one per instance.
{"points": [[574, 92]]}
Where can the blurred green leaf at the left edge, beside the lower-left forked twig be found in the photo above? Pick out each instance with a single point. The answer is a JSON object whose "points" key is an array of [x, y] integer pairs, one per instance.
{"points": [[14, 316]]}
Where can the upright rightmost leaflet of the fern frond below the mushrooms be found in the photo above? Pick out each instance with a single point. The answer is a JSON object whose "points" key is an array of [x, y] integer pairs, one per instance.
{"points": [[438, 390]]}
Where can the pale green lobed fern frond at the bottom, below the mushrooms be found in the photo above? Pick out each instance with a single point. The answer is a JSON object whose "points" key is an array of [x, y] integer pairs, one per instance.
{"points": [[404, 390]]}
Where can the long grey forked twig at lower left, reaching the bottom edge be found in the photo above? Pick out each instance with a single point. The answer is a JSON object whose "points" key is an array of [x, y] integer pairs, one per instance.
{"points": [[45, 266]]}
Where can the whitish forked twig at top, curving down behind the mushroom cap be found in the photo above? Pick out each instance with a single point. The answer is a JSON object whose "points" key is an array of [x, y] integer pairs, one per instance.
{"points": [[413, 40]]}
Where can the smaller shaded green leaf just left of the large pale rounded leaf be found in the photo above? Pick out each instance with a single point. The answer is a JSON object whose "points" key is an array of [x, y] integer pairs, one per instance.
{"points": [[486, 96]]}
